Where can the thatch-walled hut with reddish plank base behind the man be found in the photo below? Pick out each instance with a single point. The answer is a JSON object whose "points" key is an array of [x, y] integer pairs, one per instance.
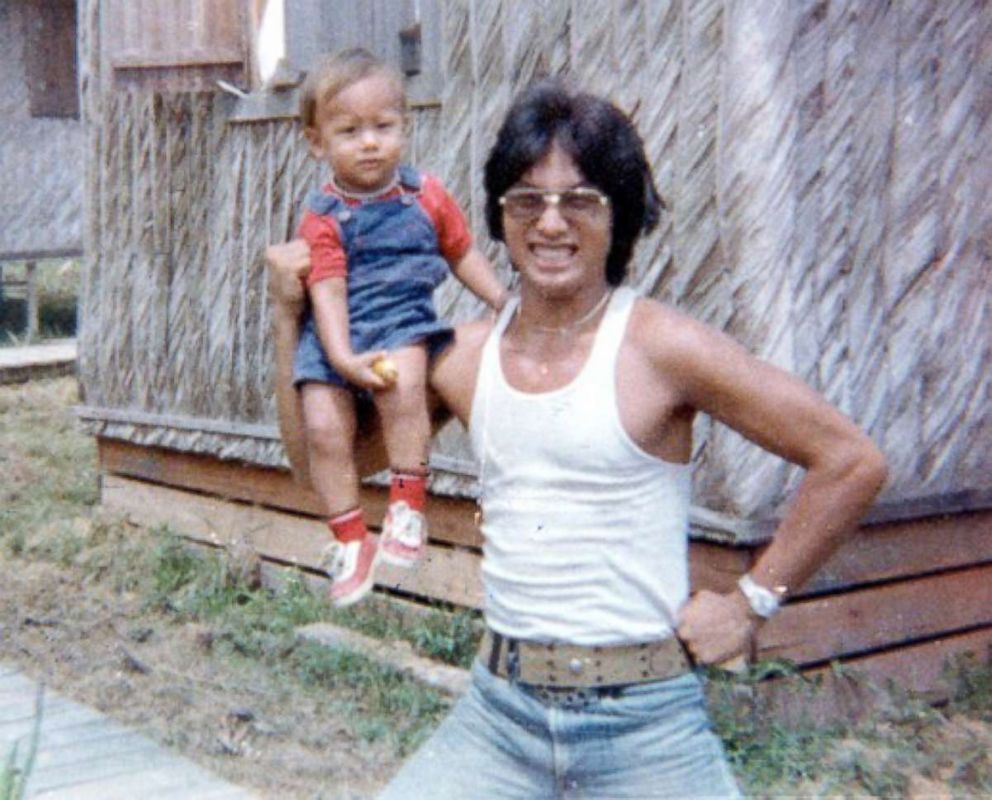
{"points": [[827, 169]]}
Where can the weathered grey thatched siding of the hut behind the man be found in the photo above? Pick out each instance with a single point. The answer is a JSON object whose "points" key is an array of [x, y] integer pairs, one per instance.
{"points": [[825, 162]]}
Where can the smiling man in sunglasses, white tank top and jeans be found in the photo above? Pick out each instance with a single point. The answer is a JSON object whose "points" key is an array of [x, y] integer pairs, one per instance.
{"points": [[579, 401]]}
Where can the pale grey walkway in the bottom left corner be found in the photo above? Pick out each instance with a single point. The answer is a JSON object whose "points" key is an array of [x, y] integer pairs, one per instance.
{"points": [[82, 755]]}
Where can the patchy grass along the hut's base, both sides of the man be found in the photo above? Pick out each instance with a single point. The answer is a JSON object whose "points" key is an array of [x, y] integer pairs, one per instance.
{"points": [[47, 512]]}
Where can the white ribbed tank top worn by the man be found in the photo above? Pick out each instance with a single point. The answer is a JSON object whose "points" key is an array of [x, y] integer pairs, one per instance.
{"points": [[585, 533]]}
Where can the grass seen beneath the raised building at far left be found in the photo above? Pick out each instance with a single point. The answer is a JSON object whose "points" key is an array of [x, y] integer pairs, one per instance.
{"points": [[58, 291]]}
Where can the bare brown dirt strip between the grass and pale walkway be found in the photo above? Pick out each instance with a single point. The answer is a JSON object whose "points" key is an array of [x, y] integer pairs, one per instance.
{"points": [[149, 672]]}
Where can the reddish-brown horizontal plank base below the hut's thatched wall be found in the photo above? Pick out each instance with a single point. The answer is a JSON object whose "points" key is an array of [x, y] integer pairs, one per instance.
{"points": [[863, 609]]}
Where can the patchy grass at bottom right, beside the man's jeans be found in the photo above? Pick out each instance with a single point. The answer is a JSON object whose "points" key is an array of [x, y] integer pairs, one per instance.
{"points": [[877, 755]]}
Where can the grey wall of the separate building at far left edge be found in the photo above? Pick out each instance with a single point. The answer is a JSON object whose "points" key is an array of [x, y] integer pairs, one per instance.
{"points": [[41, 158]]}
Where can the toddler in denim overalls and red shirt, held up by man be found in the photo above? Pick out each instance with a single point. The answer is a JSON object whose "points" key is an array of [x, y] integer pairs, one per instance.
{"points": [[382, 236]]}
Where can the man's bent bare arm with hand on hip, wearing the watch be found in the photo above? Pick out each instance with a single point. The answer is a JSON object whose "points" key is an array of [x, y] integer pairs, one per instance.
{"points": [[778, 412]]}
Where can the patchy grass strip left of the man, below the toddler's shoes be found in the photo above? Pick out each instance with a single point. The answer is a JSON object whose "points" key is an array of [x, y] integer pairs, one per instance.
{"points": [[47, 513]]}
